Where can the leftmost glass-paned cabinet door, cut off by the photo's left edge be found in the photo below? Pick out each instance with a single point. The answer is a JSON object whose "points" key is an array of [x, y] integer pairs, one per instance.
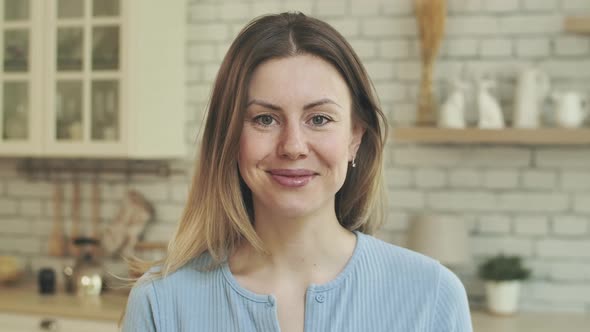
{"points": [[17, 77]]}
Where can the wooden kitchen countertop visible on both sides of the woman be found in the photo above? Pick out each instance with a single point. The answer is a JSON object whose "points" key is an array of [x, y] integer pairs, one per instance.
{"points": [[110, 306]]}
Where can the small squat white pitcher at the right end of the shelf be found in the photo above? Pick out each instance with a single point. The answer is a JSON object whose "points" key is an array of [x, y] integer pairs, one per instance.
{"points": [[571, 109]]}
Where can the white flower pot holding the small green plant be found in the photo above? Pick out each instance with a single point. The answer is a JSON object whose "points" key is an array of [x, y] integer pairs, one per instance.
{"points": [[502, 296]]}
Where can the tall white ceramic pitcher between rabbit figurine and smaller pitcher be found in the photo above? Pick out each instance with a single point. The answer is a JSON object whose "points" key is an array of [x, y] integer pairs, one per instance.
{"points": [[533, 86]]}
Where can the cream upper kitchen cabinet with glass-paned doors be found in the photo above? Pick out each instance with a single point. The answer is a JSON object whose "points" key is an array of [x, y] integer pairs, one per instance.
{"points": [[92, 78]]}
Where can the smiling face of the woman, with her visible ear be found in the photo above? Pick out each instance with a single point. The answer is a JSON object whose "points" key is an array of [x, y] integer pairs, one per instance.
{"points": [[298, 136]]}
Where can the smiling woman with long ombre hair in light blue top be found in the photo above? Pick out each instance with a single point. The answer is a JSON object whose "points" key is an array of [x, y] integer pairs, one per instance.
{"points": [[275, 235]]}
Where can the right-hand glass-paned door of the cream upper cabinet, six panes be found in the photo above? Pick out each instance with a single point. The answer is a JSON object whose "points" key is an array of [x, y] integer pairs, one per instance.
{"points": [[86, 72]]}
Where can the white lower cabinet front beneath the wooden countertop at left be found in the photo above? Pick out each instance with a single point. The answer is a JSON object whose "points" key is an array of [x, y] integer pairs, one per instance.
{"points": [[37, 323]]}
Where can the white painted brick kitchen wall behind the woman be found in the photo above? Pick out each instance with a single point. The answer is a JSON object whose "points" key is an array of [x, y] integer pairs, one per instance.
{"points": [[531, 201]]}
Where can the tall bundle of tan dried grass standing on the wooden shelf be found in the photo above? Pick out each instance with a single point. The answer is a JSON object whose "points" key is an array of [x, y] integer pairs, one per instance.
{"points": [[431, 17]]}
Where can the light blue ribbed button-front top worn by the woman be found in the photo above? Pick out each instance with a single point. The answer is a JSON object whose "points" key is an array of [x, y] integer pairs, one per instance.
{"points": [[382, 288]]}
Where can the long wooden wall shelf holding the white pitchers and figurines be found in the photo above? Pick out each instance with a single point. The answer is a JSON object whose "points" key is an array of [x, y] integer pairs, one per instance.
{"points": [[543, 136]]}
